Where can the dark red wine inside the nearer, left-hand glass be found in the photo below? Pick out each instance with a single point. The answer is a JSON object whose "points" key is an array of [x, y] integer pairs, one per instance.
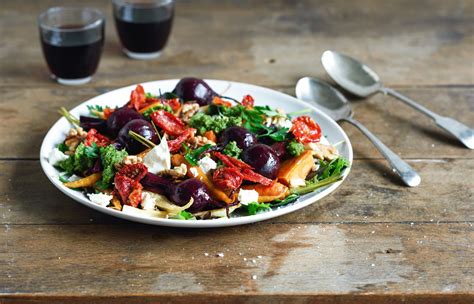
{"points": [[73, 62]]}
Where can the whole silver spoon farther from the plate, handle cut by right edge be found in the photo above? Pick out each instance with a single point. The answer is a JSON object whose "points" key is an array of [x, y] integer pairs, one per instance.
{"points": [[360, 80]]}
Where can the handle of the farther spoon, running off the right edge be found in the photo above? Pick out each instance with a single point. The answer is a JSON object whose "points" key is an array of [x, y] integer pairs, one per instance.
{"points": [[457, 129]]}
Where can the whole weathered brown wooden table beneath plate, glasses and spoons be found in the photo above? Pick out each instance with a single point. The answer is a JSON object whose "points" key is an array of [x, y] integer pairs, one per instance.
{"points": [[373, 240]]}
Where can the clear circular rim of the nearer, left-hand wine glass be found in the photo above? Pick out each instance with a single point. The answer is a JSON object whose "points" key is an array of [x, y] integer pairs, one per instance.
{"points": [[100, 18]]}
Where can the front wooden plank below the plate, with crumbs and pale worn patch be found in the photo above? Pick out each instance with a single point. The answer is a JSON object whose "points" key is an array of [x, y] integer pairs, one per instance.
{"points": [[301, 259]]}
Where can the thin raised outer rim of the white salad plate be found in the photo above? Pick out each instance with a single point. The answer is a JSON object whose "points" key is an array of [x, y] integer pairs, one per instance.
{"points": [[213, 223]]}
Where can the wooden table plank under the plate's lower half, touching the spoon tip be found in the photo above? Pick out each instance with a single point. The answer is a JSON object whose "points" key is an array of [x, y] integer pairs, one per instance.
{"points": [[368, 195]]}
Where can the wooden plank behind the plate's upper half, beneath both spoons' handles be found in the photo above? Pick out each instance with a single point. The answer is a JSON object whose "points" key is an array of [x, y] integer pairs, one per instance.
{"points": [[27, 114]]}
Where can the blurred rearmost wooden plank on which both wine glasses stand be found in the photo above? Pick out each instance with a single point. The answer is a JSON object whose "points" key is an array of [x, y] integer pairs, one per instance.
{"points": [[268, 43]]}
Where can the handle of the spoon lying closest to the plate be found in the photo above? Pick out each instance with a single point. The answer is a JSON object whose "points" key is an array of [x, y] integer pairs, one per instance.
{"points": [[406, 173]]}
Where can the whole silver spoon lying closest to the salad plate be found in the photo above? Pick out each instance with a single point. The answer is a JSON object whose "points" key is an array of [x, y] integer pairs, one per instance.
{"points": [[333, 103]]}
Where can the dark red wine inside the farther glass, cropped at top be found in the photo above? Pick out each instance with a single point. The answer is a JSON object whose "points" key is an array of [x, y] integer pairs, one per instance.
{"points": [[144, 37]]}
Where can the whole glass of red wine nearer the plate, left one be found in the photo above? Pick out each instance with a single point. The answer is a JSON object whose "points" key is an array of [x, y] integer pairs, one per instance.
{"points": [[72, 39]]}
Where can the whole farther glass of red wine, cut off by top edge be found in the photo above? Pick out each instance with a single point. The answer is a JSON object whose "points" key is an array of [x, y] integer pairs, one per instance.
{"points": [[143, 26]]}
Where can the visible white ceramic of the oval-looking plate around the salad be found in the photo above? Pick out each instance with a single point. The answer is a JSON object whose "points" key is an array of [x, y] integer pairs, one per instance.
{"points": [[262, 96]]}
